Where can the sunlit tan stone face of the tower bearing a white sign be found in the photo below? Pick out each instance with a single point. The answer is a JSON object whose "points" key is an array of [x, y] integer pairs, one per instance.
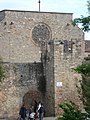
{"points": [[67, 55]]}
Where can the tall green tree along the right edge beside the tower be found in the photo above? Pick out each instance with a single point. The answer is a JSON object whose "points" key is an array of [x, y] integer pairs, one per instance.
{"points": [[84, 70]]}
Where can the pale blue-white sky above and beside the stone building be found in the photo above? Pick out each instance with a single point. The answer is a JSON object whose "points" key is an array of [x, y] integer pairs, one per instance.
{"points": [[77, 7]]}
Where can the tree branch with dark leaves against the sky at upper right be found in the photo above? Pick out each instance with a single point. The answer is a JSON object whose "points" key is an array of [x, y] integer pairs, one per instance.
{"points": [[85, 21]]}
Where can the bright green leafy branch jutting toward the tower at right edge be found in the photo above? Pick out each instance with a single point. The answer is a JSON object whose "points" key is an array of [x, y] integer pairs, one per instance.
{"points": [[83, 69]]}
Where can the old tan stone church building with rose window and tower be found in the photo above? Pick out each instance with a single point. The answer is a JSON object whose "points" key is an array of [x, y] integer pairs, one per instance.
{"points": [[38, 51]]}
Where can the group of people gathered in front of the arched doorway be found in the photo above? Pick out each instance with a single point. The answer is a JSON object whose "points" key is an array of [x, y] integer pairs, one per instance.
{"points": [[37, 112]]}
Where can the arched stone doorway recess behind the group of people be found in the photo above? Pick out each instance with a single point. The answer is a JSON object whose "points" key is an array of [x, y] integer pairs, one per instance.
{"points": [[30, 96]]}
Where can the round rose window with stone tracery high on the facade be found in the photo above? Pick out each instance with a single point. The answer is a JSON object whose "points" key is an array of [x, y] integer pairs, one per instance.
{"points": [[41, 32]]}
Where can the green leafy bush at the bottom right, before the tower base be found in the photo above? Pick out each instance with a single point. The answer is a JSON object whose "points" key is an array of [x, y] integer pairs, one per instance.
{"points": [[71, 112]]}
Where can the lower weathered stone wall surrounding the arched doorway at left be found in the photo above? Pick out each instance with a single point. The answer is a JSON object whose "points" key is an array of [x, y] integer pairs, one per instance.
{"points": [[19, 81]]}
